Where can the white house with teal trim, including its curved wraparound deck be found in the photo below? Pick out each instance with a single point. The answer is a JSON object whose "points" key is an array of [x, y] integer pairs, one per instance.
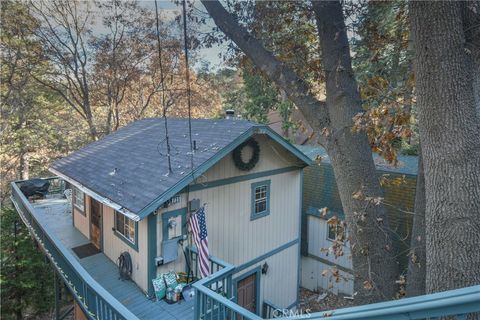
{"points": [[126, 199]]}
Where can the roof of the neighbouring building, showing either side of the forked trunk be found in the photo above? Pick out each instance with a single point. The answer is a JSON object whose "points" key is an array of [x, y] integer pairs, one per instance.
{"points": [[406, 164]]}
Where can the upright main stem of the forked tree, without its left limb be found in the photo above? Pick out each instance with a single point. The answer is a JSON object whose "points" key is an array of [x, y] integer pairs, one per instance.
{"points": [[373, 259]]}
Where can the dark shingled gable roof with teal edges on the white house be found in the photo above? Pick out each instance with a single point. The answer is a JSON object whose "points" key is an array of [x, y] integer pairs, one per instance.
{"points": [[130, 168]]}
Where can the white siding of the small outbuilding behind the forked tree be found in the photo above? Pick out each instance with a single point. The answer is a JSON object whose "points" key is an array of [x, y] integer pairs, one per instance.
{"points": [[312, 269]]}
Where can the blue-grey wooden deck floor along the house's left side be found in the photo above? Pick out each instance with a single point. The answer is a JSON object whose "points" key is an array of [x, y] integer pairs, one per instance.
{"points": [[54, 217]]}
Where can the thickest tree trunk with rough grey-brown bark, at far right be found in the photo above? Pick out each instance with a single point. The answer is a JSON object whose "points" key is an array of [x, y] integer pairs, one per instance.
{"points": [[450, 142]]}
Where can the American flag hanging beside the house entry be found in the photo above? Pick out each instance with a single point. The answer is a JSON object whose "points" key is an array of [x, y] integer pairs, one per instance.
{"points": [[199, 231]]}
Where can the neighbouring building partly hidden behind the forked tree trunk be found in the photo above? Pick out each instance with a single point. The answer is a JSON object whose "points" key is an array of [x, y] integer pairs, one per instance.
{"points": [[320, 191]]}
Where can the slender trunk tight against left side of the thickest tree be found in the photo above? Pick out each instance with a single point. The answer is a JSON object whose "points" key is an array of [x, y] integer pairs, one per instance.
{"points": [[417, 260]]}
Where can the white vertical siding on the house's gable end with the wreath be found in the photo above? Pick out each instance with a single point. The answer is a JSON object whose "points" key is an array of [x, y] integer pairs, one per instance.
{"points": [[234, 238]]}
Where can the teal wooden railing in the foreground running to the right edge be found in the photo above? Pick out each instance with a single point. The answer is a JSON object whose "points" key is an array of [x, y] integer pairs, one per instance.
{"points": [[213, 303]]}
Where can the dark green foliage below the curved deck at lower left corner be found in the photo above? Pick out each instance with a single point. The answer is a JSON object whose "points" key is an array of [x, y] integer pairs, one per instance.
{"points": [[26, 279]]}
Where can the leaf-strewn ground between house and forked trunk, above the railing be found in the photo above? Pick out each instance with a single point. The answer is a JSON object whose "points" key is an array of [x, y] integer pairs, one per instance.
{"points": [[322, 301]]}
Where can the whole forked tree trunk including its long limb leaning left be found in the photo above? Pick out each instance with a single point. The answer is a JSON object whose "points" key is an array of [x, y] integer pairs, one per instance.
{"points": [[373, 261]]}
